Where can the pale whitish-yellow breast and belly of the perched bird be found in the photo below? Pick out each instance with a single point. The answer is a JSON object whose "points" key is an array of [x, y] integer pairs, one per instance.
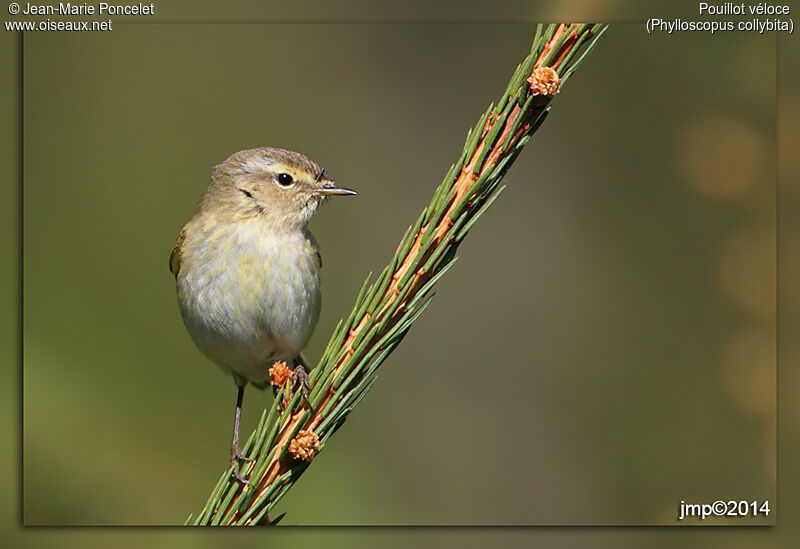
{"points": [[252, 303]]}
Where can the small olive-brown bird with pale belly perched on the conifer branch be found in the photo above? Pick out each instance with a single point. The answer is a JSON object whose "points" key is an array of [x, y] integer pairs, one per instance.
{"points": [[247, 268]]}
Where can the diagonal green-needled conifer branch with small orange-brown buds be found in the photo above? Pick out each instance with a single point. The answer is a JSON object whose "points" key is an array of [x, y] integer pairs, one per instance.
{"points": [[290, 434]]}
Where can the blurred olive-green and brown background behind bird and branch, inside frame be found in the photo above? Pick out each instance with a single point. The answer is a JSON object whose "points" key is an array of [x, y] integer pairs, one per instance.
{"points": [[604, 349]]}
